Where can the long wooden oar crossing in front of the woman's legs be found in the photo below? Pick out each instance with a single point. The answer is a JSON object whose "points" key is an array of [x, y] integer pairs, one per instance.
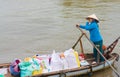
{"points": [[117, 73]]}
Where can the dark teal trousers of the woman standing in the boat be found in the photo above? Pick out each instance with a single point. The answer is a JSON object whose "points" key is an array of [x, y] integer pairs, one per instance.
{"points": [[97, 56]]}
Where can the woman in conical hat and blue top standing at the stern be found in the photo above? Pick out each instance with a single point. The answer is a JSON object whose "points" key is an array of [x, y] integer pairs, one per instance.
{"points": [[95, 36]]}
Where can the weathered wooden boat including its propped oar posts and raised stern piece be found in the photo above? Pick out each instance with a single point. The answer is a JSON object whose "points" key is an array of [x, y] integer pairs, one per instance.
{"points": [[111, 58]]}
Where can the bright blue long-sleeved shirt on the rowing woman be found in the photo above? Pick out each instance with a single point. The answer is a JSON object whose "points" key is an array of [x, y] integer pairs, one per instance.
{"points": [[93, 29]]}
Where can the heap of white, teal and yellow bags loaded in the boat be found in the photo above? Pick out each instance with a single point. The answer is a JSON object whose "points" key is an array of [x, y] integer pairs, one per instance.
{"points": [[39, 64]]}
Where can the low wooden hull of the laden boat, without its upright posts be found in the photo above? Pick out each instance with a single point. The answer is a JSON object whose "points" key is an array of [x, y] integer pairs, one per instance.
{"points": [[75, 71]]}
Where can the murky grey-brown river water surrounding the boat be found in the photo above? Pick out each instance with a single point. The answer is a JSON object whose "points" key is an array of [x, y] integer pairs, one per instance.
{"points": [[29, 27]]}
